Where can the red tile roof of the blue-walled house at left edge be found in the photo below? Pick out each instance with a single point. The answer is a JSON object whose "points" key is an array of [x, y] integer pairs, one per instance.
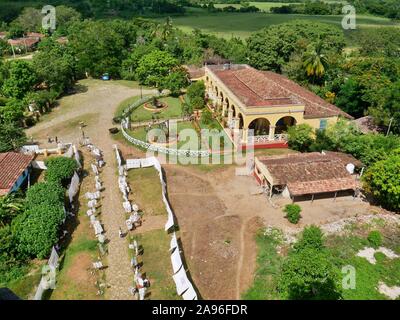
{"points": [[12, 165]]}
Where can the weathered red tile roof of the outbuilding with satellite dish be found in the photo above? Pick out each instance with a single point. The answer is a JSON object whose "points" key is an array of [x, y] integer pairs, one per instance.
{"points": [[311, 173]]}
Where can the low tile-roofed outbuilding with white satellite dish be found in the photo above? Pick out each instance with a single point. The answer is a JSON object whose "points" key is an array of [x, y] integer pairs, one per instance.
{"points": [[308, 174]]}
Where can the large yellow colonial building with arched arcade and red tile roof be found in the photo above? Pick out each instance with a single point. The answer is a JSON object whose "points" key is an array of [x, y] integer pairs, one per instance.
{"points": [[264, 101]]}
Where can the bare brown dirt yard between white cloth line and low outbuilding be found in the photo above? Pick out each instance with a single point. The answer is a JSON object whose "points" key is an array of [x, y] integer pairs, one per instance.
{"points": [[218, 216]]}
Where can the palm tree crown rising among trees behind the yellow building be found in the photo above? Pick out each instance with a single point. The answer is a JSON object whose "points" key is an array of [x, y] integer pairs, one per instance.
{"points": [[315, 61]]}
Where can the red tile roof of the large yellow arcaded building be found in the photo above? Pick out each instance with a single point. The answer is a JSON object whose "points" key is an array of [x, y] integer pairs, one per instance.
{"points": [[264, 88]]}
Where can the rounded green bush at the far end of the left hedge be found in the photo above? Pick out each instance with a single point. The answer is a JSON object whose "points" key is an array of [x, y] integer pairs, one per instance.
{"points": [[60, 169]]}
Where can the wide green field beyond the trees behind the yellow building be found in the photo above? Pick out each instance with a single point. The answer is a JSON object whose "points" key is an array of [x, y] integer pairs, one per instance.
{"points": [[242, 25]]}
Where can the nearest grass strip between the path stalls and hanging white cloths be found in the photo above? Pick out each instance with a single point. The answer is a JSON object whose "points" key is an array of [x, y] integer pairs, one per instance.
{"points": [[157, 264]]}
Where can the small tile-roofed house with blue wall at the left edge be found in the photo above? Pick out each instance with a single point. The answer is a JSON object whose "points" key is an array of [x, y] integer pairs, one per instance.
{"points": [[14, 171]]}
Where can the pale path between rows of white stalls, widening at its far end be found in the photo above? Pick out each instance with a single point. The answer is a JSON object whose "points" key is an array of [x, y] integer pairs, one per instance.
{"points": [[102, 100]]}
